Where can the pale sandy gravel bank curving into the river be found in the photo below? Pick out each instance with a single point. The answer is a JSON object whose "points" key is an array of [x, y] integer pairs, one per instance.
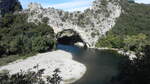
{"points": [[71, 70]]}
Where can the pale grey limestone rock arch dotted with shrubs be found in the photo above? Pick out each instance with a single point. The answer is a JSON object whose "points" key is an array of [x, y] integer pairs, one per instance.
{"points": [[90, 24]]}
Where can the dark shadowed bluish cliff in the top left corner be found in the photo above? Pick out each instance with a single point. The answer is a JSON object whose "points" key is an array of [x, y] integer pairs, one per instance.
{"points": [[7, 6]]}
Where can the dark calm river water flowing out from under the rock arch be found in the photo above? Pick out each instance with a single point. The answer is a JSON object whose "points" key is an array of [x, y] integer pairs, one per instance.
{"points": [[101, 65]]}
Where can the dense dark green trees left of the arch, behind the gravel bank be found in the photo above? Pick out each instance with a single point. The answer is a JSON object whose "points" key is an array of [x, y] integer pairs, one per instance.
{"points": [[18, 37]]}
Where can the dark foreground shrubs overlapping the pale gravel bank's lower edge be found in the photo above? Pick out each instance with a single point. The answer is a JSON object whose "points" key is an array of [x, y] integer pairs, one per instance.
{"points": [[29, 77]]}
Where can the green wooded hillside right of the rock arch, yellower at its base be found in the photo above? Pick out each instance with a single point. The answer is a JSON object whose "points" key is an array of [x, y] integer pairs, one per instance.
{"points": [[132, 28]]}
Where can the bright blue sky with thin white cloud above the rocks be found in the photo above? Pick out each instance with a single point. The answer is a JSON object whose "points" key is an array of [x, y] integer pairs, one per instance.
{"points": [[67, 5]]}
